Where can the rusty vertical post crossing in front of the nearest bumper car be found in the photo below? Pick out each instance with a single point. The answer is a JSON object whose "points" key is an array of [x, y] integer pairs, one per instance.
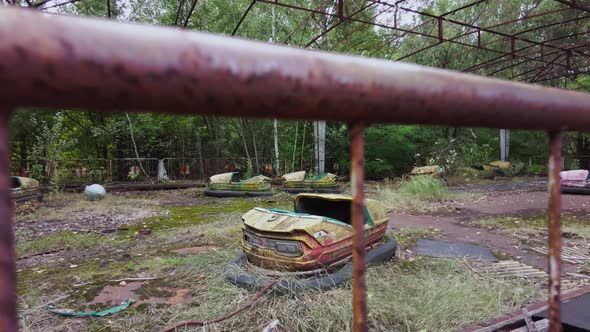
{"points": [[357, 175]]}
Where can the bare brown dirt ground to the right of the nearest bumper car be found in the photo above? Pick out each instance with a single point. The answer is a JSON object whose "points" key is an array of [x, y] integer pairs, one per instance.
{"points": [[500, 200]]}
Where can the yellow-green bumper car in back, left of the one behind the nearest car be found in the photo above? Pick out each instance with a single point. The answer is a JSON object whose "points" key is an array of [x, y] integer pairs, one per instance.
{"points": [[229, 185]]}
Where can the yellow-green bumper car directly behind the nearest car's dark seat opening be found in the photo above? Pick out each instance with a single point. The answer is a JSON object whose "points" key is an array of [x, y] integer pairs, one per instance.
{"points": [[298, 182]]}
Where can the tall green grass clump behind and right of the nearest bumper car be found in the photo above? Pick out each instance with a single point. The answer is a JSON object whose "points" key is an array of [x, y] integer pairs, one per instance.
{"points": [[415, 194]]}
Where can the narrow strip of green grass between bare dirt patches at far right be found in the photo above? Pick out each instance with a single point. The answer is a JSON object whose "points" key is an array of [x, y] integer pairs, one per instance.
{"points": [[575, 226]]}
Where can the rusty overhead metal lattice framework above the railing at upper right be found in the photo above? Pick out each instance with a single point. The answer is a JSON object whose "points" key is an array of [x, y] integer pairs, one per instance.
{"points": [[562, 56]]}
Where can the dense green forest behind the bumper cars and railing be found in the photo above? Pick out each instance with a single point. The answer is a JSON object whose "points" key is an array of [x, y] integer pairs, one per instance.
{"points": [[70, 139]]}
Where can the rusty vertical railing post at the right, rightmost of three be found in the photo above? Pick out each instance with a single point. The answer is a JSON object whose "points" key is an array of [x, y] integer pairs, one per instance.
{"points": [[555, 147]]}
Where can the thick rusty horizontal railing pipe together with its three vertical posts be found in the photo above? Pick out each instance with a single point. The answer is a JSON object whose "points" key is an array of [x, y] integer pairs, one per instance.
{"points": [[57, 61]]}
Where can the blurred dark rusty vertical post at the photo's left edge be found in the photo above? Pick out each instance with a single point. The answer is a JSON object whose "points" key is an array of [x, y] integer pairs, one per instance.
{"points": [[8, 303]]}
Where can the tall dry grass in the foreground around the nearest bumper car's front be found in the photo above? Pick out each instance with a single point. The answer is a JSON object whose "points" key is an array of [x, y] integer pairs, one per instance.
{"points": [[435, 295]]}
